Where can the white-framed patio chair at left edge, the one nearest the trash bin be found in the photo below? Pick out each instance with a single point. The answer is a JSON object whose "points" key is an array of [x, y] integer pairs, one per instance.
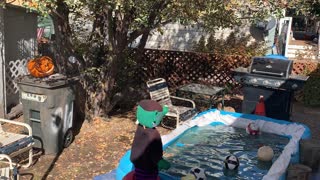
{"points": [[14, 144]]}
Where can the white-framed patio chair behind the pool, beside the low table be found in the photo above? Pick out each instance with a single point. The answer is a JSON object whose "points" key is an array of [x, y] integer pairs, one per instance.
{"points": [[159, 92]]}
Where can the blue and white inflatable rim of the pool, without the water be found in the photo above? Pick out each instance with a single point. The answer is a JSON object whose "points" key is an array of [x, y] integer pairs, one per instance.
{"points": [[289, 154]]}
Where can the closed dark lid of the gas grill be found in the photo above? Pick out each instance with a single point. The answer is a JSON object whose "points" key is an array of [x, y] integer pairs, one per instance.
{"points": [[271, 67]]}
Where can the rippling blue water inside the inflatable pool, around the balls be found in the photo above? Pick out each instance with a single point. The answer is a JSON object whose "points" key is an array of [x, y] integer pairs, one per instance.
{"points": [[206, 147]]}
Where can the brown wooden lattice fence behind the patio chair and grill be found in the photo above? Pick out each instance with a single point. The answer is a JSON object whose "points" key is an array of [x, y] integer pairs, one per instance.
{"points": [[180, 68]]}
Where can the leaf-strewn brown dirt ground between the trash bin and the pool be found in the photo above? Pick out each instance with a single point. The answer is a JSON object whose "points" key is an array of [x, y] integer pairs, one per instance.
{"points": [[100, 144]]}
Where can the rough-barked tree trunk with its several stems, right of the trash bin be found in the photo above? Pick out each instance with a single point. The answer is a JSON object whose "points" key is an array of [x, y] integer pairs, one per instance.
{"points": [[110, 39]]}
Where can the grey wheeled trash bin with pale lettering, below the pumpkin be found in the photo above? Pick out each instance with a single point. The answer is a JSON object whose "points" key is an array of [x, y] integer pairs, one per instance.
{"points": [[48, 107]]}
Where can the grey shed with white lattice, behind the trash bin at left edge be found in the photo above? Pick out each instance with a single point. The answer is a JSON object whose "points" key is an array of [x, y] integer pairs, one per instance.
{"points": [[18, 43]]}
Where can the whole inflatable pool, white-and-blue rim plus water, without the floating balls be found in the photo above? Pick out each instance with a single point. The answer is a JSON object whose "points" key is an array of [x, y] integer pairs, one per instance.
{"points": [[244, 146]]}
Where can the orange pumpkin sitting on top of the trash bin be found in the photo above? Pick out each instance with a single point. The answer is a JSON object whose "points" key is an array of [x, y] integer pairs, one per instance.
{"points": [[41, 67]]}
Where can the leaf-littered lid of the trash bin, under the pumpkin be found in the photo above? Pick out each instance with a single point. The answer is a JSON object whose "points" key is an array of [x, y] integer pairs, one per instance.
{"points": [[50, 82]]}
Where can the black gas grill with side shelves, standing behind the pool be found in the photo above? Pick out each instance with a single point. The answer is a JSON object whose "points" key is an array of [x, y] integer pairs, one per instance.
{"points": [[271, 78]]}
